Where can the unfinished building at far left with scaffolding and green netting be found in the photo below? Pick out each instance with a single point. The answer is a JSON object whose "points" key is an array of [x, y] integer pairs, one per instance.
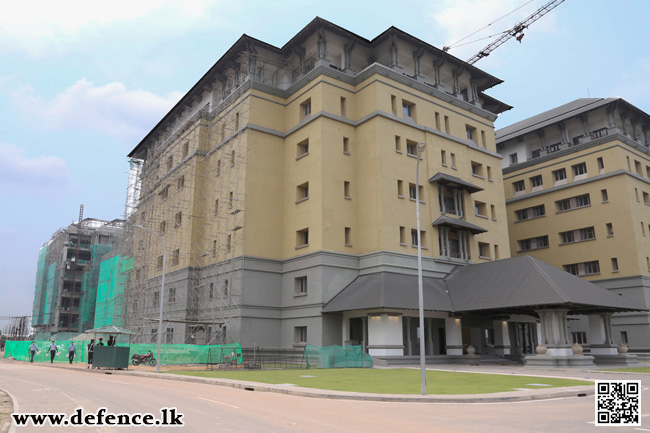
{"points": [[67, 275]]}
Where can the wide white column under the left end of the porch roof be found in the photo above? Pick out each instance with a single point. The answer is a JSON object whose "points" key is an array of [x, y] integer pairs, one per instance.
{"points": [[385, 336]]}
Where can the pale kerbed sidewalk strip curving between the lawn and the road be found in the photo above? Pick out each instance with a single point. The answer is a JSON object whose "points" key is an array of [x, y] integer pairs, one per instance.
{"points": [[520, 395]]}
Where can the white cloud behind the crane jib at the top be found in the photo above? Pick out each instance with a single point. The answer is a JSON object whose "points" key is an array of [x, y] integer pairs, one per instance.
{"points": [[457, 23]]}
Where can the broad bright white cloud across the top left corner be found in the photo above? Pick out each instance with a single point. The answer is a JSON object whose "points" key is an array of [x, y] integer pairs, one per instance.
{"points": [[41, 26]]}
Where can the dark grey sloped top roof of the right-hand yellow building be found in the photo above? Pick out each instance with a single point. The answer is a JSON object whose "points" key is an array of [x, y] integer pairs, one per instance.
{"points": [[551, 116]]}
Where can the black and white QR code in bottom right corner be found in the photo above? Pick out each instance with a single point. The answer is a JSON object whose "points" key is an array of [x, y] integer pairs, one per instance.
{"points": [[618, 402]]}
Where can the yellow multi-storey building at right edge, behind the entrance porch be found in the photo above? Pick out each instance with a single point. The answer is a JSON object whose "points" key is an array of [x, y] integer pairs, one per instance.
{"points": [[577, 184]]}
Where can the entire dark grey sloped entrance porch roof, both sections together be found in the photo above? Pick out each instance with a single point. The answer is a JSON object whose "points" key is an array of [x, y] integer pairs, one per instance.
{"points": [[517, 285]]}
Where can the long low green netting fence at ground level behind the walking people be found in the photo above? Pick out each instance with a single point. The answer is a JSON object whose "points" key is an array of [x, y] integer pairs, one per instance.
{"points": [[170, 353]]}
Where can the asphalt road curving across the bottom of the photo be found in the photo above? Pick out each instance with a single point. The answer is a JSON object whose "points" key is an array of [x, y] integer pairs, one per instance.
{"points": [[210, 408]]}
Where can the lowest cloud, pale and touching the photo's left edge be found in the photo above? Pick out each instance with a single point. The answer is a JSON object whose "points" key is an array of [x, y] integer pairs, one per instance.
{"points": [[41, 174]]}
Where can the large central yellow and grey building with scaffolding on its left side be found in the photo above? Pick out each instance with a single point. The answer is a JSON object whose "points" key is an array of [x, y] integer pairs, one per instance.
{"points": [[287, 176]]}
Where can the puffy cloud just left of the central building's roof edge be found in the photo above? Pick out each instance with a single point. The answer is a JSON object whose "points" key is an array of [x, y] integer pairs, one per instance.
{"points": [[110, 109]]}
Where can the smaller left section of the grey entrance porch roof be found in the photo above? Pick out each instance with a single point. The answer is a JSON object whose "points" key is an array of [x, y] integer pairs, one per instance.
{"points": [[390, 290]]}
